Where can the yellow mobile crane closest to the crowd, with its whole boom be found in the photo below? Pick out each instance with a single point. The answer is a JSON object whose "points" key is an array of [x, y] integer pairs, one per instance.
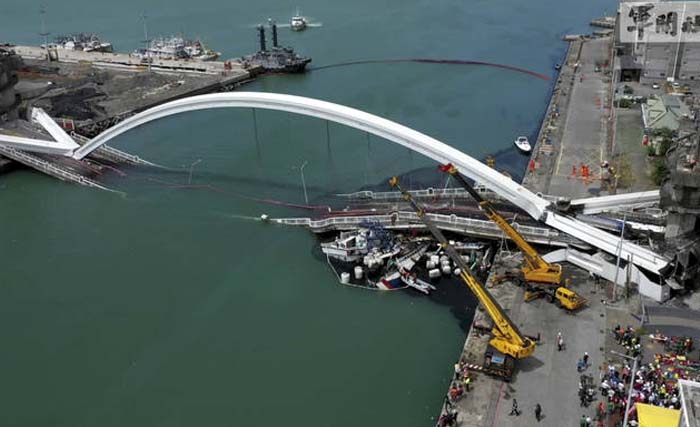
{"points": [[507, 338]]}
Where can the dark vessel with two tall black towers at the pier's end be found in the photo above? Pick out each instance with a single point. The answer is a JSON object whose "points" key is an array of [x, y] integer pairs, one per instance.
{"points": [[278, 59]]}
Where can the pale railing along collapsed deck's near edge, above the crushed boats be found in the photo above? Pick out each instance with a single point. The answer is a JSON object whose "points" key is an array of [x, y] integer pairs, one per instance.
{"points": [[454, 223]]}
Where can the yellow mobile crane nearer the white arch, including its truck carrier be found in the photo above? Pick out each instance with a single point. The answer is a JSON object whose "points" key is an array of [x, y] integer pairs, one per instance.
{"points": [[536, 269]]}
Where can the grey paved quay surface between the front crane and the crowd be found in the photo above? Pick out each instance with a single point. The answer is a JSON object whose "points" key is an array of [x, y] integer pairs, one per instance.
{"points": [[550, 377]]}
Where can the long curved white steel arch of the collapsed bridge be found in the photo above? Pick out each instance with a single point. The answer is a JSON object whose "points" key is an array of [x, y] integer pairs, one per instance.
{"points": [[535, 206]]}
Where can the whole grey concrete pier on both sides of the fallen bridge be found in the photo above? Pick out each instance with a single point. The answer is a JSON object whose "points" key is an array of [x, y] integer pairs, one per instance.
{"points": [[575, 130]]}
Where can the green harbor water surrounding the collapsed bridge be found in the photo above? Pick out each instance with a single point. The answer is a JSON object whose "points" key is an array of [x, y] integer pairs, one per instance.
{"points": [[171, 305]]}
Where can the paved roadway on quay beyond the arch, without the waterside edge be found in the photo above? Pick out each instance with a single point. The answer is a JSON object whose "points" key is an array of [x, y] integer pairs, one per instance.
{"points": [[585, 135]]}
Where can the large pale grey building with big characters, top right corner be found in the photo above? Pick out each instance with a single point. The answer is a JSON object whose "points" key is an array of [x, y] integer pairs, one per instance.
{"points": [[659, 40]]}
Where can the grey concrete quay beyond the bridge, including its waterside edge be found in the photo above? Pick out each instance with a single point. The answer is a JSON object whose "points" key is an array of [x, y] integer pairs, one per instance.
{"points": [[576, 128]]}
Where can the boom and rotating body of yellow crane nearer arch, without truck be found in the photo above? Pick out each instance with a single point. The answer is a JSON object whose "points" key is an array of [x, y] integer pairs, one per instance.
{"points": [[536, 268]]}
